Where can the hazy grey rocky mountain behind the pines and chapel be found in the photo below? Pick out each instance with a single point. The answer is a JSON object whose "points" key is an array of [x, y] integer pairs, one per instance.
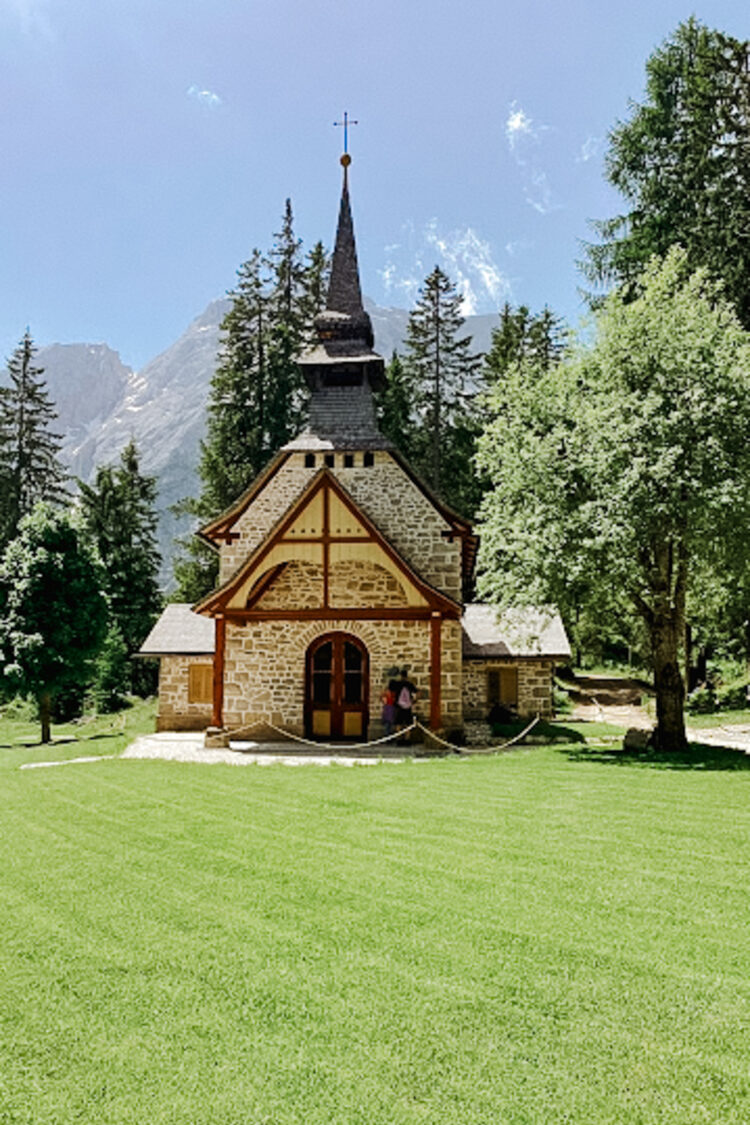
{"points": [[102, 403]]}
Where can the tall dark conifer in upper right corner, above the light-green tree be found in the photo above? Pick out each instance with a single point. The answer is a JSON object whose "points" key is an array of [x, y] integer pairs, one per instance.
{"points": [[683, 165]]}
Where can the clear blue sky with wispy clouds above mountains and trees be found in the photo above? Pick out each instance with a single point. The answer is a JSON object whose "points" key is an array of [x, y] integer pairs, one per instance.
{"points": [[147, 147]]}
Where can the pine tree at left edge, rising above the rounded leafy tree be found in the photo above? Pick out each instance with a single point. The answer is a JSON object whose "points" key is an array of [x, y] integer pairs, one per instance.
{"points": [[30, 466]]}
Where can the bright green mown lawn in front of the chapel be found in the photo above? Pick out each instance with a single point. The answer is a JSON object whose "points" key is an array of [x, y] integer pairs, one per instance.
{"points": [[556, 935]]}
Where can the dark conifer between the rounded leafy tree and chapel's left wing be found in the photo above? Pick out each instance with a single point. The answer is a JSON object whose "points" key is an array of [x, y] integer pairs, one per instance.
{"points": [[120, 517]]}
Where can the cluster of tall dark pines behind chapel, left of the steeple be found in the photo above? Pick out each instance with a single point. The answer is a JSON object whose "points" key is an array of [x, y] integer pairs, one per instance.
{"points": [[258, 394]]}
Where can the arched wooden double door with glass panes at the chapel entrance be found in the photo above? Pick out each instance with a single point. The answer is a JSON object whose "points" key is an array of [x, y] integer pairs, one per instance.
{"points": [[337, 688]]}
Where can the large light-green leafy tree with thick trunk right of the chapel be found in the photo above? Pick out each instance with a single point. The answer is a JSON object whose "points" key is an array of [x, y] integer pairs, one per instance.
{"points": [[624, 475]]}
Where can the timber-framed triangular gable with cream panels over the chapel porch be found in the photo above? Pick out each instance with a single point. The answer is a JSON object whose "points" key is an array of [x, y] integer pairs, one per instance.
{"points": [[322, 530]]}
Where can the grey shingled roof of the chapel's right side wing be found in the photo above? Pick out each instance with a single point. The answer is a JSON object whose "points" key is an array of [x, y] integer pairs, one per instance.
{"points": [[517, 633]]}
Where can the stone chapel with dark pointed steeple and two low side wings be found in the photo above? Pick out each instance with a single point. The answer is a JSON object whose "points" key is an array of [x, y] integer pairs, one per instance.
{"points": [[339, 568]]}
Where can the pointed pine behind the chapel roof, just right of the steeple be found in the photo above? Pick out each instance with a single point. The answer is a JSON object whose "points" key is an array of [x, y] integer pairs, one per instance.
{"points": [[444, 373]]}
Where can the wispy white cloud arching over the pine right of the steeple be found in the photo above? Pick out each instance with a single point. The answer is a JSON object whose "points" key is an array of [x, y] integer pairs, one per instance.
{"points": [[463, 254]]}
